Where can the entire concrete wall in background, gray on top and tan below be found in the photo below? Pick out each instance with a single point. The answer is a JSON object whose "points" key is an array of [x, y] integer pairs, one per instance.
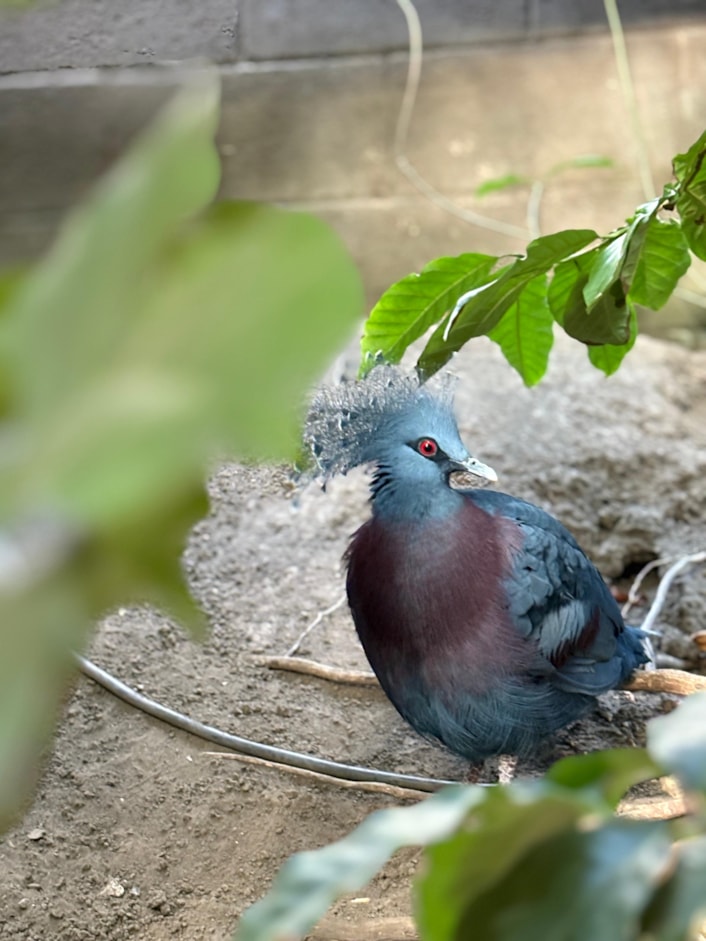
{"points": [[317, 131]]}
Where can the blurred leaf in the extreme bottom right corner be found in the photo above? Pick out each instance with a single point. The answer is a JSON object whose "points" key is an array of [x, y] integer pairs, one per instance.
{"points": [[678, 909]]}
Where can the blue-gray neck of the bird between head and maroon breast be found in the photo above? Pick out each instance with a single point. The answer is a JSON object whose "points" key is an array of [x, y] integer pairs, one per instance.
{"points": [[396, 498]]}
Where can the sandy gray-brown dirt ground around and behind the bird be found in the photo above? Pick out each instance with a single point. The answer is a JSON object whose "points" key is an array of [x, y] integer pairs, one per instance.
{"points": [[138, 830]]}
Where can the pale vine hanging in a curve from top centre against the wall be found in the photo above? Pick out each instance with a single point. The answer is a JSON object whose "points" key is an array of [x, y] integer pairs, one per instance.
{"points": [[409, 98]]}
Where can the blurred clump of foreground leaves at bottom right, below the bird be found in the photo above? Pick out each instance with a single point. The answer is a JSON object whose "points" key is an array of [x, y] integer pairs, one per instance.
{"points": [[540, 860]]}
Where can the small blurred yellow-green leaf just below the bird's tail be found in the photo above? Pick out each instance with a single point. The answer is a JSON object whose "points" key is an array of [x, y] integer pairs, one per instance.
{"points": [[611, 772]]}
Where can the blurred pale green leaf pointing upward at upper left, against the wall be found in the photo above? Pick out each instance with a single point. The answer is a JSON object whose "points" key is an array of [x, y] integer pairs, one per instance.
{"points": [[80, 301]]}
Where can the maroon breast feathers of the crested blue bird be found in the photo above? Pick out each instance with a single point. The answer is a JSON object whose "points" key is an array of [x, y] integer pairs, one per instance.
{"points": [[429, 598]]}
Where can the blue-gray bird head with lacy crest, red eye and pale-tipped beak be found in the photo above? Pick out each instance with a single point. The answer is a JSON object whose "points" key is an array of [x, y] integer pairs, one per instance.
{"points": [[391, 421]]}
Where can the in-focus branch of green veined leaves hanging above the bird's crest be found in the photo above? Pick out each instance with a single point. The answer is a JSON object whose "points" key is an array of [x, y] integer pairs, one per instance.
{"points": [[588, 284]]}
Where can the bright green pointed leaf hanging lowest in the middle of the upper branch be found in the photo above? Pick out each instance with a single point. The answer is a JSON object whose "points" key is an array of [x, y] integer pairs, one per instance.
{"points": [[525, 334]]}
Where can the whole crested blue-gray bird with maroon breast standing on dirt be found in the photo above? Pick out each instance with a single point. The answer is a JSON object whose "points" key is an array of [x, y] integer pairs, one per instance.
{"points": [[485, 623]]}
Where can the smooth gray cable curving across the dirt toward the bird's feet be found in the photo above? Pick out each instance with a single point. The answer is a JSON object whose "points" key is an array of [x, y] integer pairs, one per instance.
{"points": [[332, 769]]}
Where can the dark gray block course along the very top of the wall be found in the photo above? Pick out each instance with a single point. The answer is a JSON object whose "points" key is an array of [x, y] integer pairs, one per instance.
{"points": [[54, 34]]}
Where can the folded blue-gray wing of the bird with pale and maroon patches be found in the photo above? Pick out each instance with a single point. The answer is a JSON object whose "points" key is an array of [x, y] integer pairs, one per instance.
{"points": [[557, 598]]}
